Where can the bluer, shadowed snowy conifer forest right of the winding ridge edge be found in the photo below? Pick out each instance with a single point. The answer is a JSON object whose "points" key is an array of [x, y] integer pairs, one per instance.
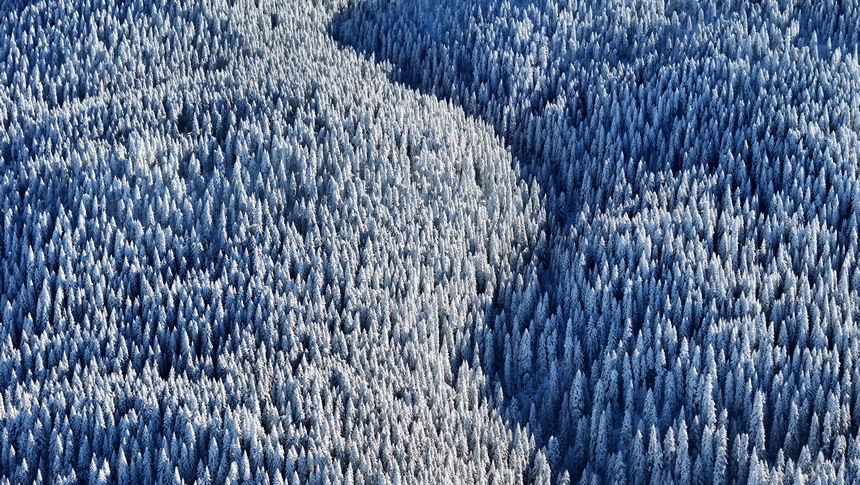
{"points": [[698, 167]]}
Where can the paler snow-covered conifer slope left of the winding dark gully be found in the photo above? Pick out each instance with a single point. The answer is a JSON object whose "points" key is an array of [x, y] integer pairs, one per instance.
{"points": [[233, 253]]}
